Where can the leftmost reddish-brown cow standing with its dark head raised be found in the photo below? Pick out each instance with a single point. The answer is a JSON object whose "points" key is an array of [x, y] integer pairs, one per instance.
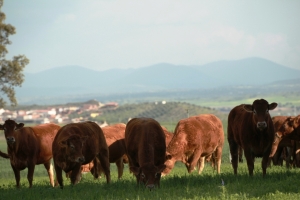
{"points": [[29, 146]]}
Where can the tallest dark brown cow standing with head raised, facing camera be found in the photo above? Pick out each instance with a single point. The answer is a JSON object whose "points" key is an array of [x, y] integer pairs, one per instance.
{"points": [[251, 127]]}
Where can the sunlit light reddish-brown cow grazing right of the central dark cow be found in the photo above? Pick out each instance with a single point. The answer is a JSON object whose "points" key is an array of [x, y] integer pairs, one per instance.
{"points": [[195, 138]]}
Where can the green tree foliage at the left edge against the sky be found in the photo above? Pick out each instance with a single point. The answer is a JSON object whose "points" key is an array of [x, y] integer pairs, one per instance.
{"points": [[11, 74]]}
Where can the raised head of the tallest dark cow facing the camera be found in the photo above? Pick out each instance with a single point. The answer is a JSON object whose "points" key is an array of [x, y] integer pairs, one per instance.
{"points": [[260, 109]]}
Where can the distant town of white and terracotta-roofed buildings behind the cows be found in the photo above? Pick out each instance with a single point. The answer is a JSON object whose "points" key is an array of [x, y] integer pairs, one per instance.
{"points": [[56, 114]]}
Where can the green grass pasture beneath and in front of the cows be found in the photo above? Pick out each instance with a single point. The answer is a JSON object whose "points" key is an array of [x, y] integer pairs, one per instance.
{"points": [[279, 183]]}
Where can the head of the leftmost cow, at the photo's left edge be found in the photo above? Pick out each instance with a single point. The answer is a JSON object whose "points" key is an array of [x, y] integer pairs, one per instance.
{"points": [[9, 127]]}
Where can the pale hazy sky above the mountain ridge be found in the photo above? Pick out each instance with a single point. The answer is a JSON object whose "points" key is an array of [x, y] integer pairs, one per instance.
{"points": [[104, 34]]}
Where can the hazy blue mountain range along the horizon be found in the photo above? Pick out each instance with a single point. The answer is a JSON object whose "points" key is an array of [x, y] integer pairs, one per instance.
{"points": [[76, 81]]}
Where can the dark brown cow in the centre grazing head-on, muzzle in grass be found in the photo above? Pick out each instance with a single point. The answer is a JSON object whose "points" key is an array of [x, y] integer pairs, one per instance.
{"points": [[146, 150]]}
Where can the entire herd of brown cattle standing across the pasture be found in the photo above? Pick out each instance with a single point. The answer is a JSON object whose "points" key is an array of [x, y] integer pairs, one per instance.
{"points": [[149, 148]]}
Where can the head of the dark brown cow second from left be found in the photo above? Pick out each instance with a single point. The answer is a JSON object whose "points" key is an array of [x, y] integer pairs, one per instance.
{"points": [[74, 146]]}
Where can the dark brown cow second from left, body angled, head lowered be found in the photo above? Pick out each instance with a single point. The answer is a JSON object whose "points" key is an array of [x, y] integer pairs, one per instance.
{"points": [[77, 144]]}
